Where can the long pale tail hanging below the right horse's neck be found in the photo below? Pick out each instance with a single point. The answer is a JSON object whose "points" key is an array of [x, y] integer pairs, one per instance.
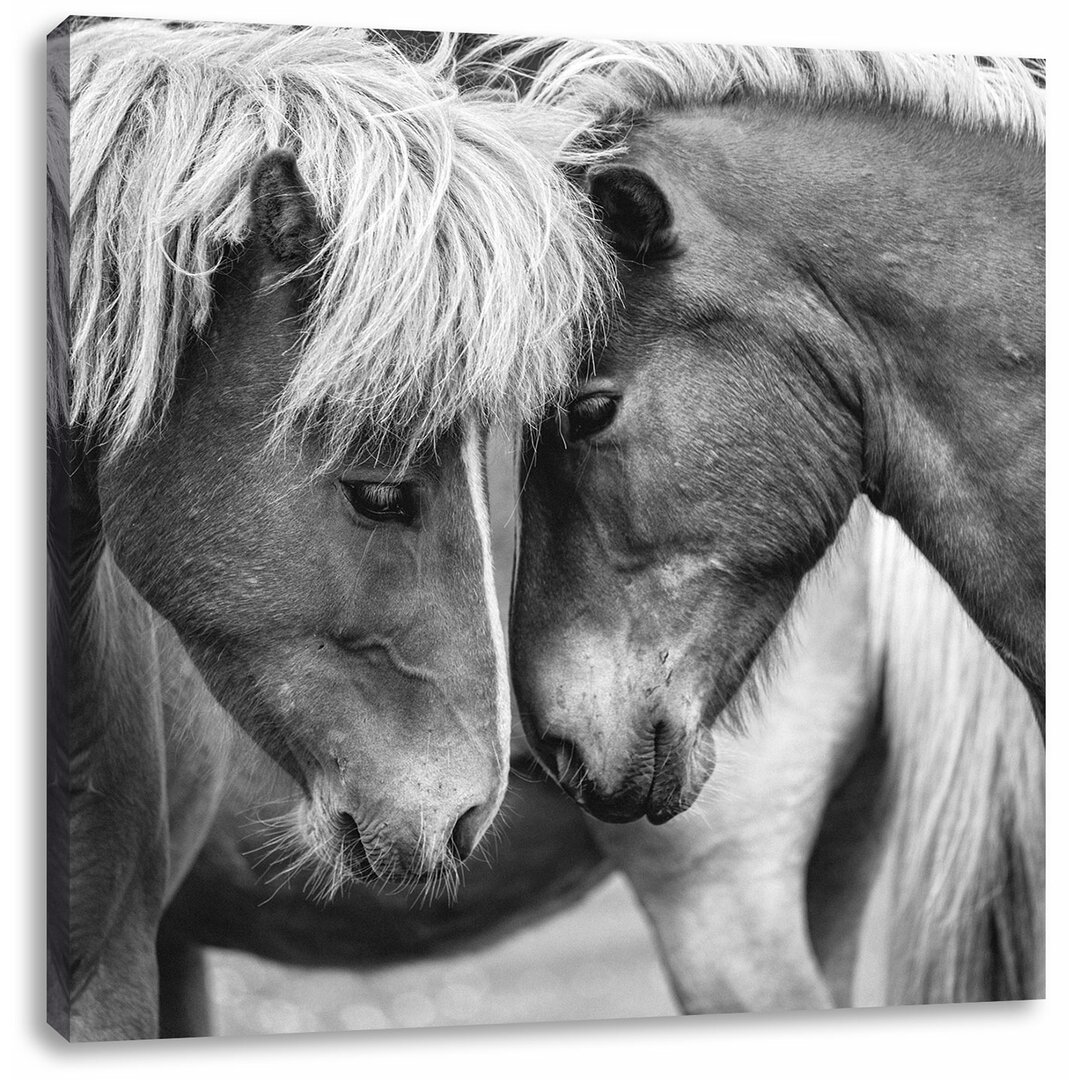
{"points": [[966, 787]]}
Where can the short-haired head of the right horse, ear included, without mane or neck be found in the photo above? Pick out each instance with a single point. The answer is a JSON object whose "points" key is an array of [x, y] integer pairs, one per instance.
{"points": [[666, 524]]}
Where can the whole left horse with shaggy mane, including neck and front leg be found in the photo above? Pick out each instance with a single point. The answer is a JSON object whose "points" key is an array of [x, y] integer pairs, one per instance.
{"points": [[292, 280]]}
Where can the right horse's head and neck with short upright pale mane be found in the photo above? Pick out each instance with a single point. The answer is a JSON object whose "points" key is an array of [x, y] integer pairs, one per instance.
{"points": [[832, 274]]}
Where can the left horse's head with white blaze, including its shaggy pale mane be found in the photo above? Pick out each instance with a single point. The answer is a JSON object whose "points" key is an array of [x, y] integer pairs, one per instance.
{"points": [[301, 299]]}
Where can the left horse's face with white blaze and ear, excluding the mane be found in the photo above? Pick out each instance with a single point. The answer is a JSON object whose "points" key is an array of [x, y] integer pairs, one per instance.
{"points": [[346, 619]]}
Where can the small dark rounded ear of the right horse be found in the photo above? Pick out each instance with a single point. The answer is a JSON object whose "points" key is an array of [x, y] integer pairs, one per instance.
{"points": [[636, 212]]}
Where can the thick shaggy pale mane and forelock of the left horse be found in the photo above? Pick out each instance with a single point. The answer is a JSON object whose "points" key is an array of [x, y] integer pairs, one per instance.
{"points": [[460, 273]]}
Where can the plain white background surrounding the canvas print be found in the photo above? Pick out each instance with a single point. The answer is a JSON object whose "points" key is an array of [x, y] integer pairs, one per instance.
{"points": [[1029, 1041]]}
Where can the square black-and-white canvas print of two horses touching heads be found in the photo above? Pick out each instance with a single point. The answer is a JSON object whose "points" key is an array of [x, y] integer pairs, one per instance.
{"points": [[538, 530]]}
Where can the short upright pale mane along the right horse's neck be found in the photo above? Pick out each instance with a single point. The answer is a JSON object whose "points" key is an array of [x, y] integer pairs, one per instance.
{"points": [[613, 84]]}
